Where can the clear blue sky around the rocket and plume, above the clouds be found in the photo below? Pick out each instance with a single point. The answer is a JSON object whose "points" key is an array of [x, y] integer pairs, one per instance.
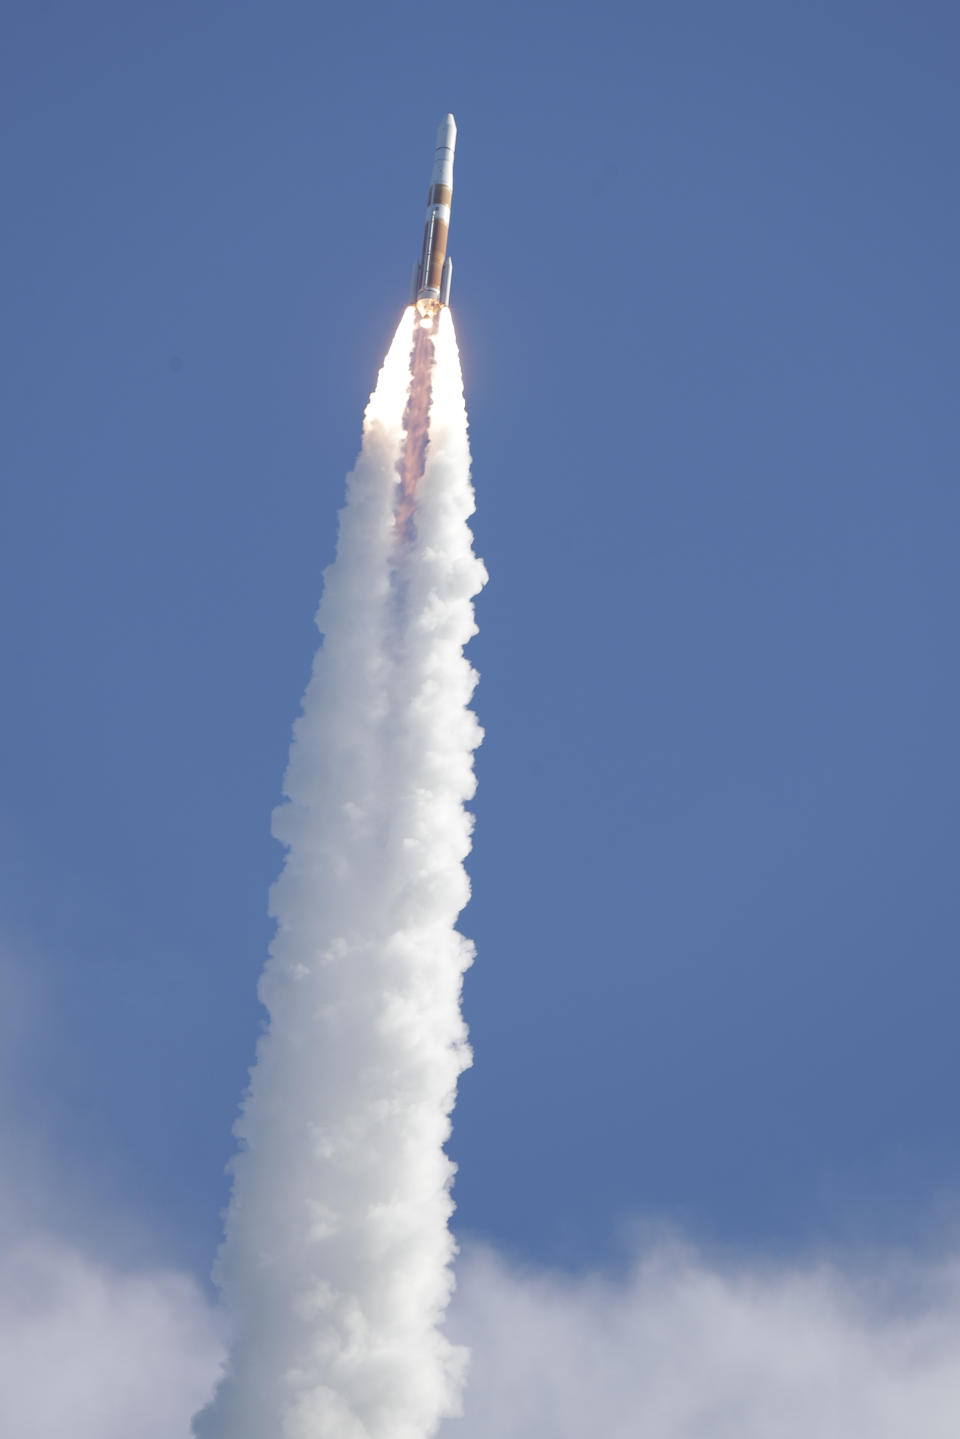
{"points": [[707, 303]]}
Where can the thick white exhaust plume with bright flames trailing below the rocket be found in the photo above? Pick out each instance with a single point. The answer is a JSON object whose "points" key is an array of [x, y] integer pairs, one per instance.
{"points": [[336, 1264]]}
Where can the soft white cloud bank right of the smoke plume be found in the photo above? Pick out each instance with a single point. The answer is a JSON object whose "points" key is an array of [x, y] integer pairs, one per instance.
{"points": [[686, 1349]]}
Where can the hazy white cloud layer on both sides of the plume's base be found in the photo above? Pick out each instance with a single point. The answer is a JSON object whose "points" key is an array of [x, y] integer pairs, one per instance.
{"points": [[677, 1349]]}
